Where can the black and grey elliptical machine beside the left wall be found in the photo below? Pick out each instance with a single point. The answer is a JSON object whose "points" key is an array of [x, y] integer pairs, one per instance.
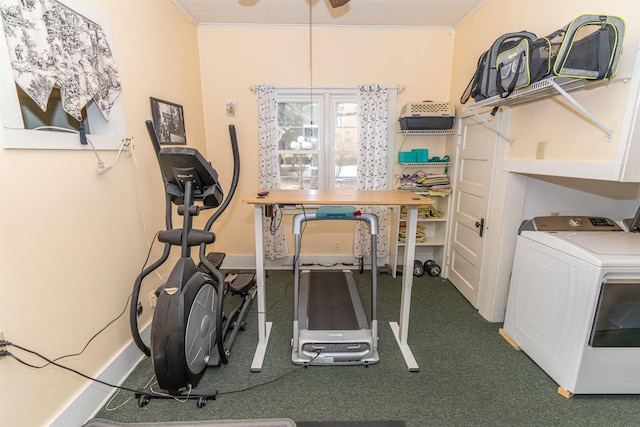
{"points": [[189, 330]]}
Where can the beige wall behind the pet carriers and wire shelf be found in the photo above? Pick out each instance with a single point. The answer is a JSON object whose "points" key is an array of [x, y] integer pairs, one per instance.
{"points": [[569, 136]]}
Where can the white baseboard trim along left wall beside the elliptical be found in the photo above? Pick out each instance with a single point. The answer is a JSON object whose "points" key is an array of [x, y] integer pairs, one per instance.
{"points": [[89, 401]]}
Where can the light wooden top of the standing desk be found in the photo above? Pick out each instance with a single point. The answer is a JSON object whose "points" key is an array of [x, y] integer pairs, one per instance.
{"points": [[339, 197]]}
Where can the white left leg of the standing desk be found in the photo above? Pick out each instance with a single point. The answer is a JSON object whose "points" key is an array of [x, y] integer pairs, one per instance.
{"points": [[264, 327]]}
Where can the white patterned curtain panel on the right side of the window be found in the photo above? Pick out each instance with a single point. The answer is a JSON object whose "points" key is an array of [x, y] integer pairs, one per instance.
{"points": [[372, 163]]}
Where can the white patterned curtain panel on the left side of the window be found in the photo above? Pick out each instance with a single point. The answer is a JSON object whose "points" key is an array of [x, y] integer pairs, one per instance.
{"points": [[269, 174]]}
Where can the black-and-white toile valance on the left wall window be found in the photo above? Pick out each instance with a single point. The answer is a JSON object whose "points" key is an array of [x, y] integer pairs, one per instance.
{"points": [[50, 44]]}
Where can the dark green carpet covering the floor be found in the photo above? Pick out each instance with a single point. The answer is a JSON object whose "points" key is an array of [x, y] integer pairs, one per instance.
{"points": [[469, 376]]}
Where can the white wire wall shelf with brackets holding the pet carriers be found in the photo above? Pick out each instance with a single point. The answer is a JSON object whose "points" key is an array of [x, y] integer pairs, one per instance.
{"points": [[545, 89]]}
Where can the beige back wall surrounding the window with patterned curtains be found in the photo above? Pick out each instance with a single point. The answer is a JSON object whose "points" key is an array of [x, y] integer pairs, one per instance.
{"points": [[233, 59]]}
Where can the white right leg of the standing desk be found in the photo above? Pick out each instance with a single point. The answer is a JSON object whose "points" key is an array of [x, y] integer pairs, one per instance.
{"points": [[401, 330]]}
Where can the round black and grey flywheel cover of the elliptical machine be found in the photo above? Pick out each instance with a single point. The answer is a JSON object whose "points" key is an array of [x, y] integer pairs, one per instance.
{"points": [[183, 332]]}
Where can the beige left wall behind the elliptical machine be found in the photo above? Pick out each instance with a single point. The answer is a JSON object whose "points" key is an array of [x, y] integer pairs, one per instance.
{"points": [[73, 241]]}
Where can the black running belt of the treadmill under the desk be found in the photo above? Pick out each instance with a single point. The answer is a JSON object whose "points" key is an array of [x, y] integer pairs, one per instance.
{"points": [[330, 305]]}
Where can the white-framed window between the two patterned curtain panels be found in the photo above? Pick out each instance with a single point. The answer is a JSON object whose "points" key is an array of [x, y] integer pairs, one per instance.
{"points": [[318, 136]]}
